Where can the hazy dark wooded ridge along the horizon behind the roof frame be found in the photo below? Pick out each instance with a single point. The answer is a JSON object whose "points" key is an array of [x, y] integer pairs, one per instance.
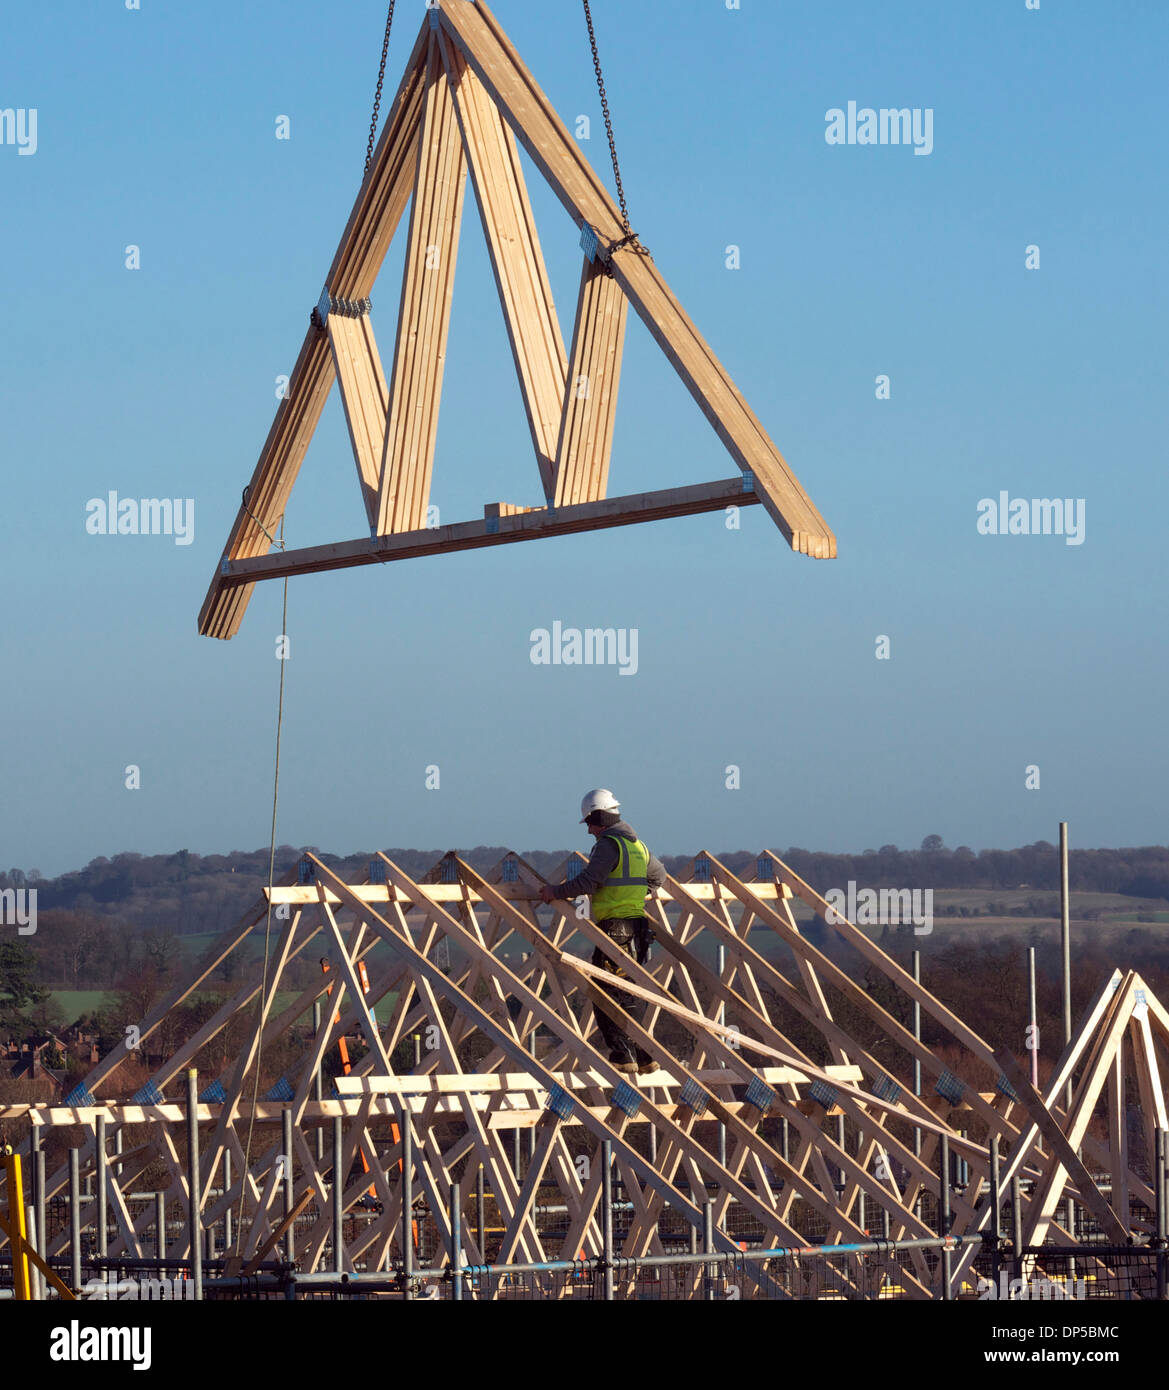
{"points": [[198, 893]]}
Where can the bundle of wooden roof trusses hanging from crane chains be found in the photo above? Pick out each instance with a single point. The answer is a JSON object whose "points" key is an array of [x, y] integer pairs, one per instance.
{"points": [[465, 108]]}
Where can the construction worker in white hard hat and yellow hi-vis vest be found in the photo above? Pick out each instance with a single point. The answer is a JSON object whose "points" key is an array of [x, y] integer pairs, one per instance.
{"points": [[618, 878]]}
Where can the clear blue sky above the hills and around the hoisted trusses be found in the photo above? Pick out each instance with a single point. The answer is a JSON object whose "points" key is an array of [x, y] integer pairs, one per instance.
{"points": [[158, 129]]}
